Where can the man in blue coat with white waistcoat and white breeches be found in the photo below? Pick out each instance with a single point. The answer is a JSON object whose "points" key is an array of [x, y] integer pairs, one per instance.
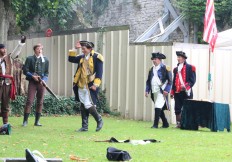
{"points": [[159, 84]]}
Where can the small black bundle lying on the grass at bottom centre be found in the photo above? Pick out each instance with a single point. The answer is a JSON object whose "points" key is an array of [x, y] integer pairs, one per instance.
{"points": [[114, 154]]}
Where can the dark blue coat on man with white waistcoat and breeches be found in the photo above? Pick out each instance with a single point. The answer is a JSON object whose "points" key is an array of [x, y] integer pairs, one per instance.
{"points": [[164, 74]]}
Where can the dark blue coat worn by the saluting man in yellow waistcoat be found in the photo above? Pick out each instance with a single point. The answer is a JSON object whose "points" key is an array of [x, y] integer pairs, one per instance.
{"points": [[98, 70]]}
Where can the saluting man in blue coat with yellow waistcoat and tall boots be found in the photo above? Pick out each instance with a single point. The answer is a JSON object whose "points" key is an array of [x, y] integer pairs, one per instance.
{"points": [[87, 81]]}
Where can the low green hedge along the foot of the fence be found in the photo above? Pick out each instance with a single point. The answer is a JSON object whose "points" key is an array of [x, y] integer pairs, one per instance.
{"points": [[65, 105]]}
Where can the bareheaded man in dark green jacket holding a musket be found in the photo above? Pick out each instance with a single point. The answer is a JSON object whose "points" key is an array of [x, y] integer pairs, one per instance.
{"points": [[35, 67]]}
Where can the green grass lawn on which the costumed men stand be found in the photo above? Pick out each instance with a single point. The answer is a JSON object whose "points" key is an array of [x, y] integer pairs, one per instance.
{"points": [[57, 138]]}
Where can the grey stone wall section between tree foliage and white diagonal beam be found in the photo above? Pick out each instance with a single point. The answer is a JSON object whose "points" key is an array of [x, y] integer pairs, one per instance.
{"points": [[138, 14]]}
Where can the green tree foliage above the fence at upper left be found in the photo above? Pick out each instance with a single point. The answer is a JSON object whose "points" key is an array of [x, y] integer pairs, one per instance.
{"points": [[58, 12]]}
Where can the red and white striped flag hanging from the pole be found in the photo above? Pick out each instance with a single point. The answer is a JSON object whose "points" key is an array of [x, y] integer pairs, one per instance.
{"points": [[210, 28]]}
